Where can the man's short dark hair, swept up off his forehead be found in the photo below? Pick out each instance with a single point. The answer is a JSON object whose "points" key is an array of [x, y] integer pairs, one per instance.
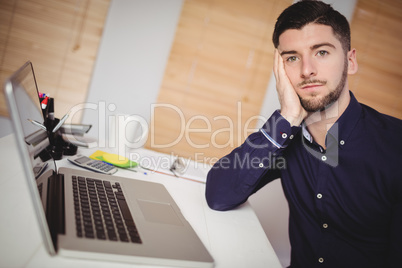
{"points": [[304, 12]]}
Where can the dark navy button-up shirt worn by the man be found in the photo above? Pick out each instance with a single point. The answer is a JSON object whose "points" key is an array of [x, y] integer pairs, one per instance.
{"points": [[345, 202]]}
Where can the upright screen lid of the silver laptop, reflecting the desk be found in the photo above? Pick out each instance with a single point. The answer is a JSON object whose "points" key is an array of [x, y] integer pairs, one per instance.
{"points": [[26, 115]]}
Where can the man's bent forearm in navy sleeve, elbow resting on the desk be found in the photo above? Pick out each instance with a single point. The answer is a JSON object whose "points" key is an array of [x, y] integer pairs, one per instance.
{"points": [[238, 175]]}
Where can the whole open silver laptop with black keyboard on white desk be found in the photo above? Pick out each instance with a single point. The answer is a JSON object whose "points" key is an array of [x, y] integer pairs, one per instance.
{"points": [[83, 214]]}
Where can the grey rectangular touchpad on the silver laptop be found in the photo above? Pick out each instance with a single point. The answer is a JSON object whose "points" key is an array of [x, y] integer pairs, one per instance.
{"points": [[159, 212]]}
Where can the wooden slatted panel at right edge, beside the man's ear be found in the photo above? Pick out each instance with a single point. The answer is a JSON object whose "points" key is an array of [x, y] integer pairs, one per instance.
{"points": [[377, 35]]}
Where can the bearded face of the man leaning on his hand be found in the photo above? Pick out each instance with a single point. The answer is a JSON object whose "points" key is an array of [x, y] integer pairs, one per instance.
{"points": [[315, 63]]}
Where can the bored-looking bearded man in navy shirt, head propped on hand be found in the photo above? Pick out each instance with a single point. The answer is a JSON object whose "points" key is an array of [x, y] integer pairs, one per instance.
{"points": [[341, 167]]}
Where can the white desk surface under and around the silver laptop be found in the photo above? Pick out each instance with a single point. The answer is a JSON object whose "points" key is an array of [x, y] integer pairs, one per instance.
{"points": [[234, 238]]}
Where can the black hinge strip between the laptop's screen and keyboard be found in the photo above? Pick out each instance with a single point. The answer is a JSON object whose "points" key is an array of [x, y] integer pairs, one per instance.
{"points": [[55, 213]]}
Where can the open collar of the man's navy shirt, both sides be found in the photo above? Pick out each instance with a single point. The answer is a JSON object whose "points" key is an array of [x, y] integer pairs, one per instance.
{"points": [[345, 124]]}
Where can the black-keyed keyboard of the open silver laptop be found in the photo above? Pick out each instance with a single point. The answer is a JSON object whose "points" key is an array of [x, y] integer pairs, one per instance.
{"points": [[101, 211]]}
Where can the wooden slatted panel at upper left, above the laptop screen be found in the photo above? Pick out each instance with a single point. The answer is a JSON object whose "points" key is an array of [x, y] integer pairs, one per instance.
{"points": [[61, 39]]}
